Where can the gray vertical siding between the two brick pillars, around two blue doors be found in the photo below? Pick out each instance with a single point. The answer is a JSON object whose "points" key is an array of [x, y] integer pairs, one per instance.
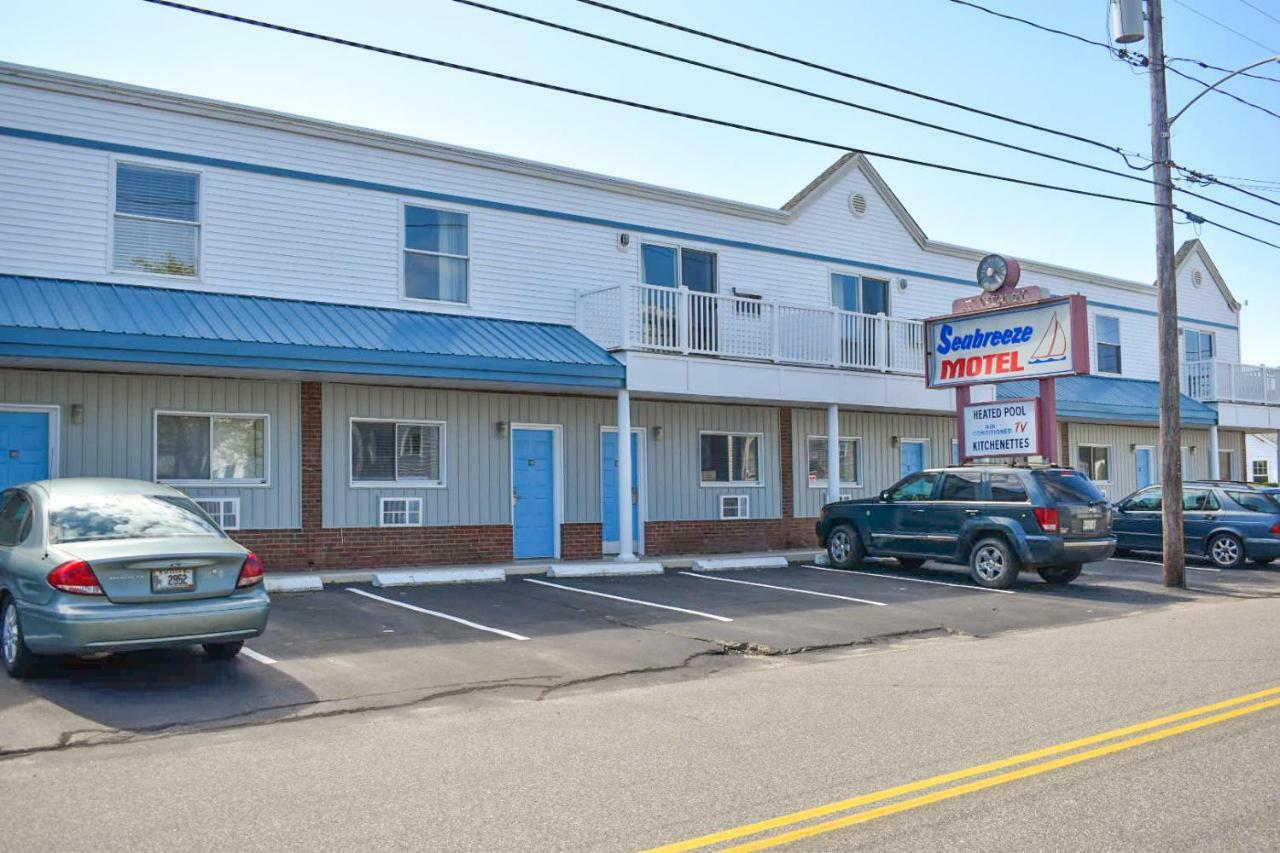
{"points": [[478, 460]]}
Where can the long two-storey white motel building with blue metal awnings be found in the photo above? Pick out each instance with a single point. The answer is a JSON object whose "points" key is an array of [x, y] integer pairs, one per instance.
{"points": [[356, 349]]}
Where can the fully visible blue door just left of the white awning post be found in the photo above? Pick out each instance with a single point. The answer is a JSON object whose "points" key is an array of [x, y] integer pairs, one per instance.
{"points": [[534, 492]]}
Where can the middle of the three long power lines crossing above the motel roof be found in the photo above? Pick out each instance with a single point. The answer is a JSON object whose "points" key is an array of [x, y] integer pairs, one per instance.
{"points": [[830, 99]]}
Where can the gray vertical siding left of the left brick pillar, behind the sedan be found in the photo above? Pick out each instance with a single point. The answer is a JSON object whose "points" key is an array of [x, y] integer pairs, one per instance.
{"points": [[116, 435]]}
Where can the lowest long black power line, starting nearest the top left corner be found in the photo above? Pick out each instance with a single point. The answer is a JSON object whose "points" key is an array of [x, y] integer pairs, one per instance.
{"points": [[665, 111]]}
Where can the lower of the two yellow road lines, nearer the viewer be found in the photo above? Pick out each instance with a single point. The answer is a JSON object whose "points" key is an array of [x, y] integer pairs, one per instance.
{"points": [[1013, 776]]}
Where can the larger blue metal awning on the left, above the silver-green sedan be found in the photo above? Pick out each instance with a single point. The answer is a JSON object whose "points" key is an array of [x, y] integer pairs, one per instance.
{"points": [[47, 318]]}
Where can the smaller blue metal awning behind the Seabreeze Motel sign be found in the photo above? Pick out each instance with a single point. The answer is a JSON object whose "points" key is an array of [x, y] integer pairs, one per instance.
{"points": [[1109, 399]]}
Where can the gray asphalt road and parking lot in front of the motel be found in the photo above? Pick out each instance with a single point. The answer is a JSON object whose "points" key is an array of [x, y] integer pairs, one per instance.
{"points": [[621, 727]]}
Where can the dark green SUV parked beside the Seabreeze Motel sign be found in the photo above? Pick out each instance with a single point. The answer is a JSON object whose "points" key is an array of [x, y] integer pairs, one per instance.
{"points": [[996, 519]]}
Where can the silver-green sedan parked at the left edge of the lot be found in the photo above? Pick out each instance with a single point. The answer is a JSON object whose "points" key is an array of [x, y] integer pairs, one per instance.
{"points": [[102, 565]]}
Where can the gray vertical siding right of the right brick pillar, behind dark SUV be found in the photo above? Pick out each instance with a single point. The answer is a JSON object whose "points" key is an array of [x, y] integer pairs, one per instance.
{"points": [[880, 463]]}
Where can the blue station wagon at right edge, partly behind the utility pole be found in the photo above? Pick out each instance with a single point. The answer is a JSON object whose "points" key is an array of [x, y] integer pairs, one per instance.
{"points": [[1228, 523]]}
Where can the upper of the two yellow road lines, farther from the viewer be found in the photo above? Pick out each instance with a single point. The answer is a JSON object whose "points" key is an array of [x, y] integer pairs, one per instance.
{"points": [[889, 793]]}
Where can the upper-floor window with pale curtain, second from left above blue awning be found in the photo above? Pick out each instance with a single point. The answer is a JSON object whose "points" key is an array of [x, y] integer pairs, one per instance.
{"points": [[437, 256]]}
